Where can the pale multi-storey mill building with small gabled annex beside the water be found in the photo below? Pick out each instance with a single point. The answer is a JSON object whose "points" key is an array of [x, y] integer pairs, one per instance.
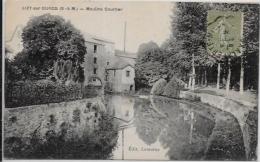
{"points": [[105, 66]]}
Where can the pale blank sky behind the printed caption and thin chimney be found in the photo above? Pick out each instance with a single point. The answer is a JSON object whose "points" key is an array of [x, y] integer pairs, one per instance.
{"points": [[146, 21]]}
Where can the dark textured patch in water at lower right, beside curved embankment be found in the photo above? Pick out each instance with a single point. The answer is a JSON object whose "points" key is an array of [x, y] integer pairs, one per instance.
{"points": [[226, 140]]}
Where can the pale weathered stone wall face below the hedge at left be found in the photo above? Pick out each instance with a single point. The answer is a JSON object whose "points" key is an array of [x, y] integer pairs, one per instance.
{"points": [[23, 121]]}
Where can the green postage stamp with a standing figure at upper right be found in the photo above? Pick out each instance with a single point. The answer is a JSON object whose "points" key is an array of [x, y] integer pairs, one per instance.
{"points": [[224, 32]]}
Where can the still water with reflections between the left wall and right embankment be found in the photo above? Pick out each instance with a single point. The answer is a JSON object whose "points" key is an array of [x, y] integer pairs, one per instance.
{"points": [[157, 128]]}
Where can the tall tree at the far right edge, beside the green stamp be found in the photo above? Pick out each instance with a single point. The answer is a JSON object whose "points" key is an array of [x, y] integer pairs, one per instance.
{"points": [[249, 61]]}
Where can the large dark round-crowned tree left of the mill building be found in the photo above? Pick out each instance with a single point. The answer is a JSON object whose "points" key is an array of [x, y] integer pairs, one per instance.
{"points": [[48, 39]]}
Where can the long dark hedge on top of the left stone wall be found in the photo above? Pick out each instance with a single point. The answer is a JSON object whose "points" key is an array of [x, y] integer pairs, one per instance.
{"points": [[24, 93]]}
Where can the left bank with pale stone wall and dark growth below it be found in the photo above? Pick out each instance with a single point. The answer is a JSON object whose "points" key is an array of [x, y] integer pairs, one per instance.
{"points": [[66, 130]]}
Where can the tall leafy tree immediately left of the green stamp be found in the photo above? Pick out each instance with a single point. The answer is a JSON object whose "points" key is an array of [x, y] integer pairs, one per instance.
{"points": [[188, 37]]}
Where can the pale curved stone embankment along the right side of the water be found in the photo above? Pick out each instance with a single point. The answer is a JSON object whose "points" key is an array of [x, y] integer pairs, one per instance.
{"points": [[244, 111]]}
